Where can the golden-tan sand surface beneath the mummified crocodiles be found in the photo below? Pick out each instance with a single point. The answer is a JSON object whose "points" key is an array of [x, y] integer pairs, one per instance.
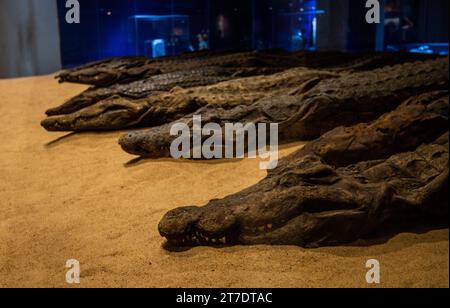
{"points": [[77, 198]]}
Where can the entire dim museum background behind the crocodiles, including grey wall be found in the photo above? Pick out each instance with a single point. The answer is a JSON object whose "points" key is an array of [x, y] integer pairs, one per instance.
{"points": [[35, 38]]}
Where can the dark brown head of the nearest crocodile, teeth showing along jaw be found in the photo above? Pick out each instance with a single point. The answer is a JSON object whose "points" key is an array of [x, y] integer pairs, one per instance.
{"points": [[301, 206]]}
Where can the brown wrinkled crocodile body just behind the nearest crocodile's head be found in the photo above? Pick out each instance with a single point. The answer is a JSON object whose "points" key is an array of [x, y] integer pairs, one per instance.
{"points": [[420, 119]]}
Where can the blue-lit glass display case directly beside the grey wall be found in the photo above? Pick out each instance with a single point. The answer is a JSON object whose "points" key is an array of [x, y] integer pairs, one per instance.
{"points": [[154, 28]]}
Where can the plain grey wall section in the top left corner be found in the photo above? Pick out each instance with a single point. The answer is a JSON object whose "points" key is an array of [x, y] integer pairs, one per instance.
{"points": [[29, 38]]}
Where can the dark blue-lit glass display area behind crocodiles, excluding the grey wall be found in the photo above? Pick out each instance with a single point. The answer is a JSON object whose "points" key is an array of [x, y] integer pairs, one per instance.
{"points": [[159, 28]]}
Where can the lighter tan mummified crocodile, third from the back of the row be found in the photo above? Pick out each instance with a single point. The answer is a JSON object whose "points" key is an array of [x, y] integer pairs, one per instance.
{"points": [[118, 112]]}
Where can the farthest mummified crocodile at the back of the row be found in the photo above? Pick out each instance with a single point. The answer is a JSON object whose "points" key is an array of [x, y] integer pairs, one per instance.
{"points": [[129, 69]]}
